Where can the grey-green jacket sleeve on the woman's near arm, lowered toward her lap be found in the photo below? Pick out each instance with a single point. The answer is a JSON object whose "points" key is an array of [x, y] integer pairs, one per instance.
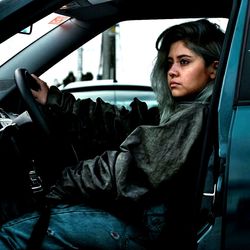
{"points": [[149, 159]]}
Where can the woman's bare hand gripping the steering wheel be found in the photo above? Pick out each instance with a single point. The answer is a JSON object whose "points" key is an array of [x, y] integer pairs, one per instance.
{"points": [[41, 94]]}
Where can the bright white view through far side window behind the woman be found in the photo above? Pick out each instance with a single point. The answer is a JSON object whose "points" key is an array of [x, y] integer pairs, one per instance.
{"points": [[134, 48]]}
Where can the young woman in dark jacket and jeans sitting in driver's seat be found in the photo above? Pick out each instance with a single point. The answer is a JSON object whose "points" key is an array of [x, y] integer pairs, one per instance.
{"points": [[126, 197]]}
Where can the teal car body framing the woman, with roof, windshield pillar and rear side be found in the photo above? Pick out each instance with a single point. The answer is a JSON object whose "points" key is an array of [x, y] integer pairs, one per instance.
{"points": [[226, 225]]}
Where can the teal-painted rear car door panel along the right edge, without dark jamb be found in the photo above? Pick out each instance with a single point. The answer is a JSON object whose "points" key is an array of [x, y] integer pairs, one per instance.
{"points": [[234, 137]]}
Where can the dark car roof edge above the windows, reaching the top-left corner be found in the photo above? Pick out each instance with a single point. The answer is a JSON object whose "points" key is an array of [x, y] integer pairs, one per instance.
{"points": [[29, 11]]}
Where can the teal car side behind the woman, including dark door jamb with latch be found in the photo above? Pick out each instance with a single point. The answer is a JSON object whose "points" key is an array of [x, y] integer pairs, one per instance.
{"points": [[228, 225]]}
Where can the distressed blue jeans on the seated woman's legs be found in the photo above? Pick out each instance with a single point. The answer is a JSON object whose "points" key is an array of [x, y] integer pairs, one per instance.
{"points": [[82, 227]]}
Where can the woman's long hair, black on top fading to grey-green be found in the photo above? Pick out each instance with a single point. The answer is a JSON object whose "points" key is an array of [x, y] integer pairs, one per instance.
{"points": [[202, 37]]}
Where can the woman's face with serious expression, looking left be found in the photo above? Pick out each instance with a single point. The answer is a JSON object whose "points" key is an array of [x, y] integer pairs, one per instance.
{"points": [[187, 73]]}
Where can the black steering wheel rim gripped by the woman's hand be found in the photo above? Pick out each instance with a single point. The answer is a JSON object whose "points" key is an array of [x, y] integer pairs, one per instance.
{"points": [[25, 82]]}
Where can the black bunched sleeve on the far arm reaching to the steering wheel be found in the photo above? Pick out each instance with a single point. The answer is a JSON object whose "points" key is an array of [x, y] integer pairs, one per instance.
{"points": [[95, 126]]}
